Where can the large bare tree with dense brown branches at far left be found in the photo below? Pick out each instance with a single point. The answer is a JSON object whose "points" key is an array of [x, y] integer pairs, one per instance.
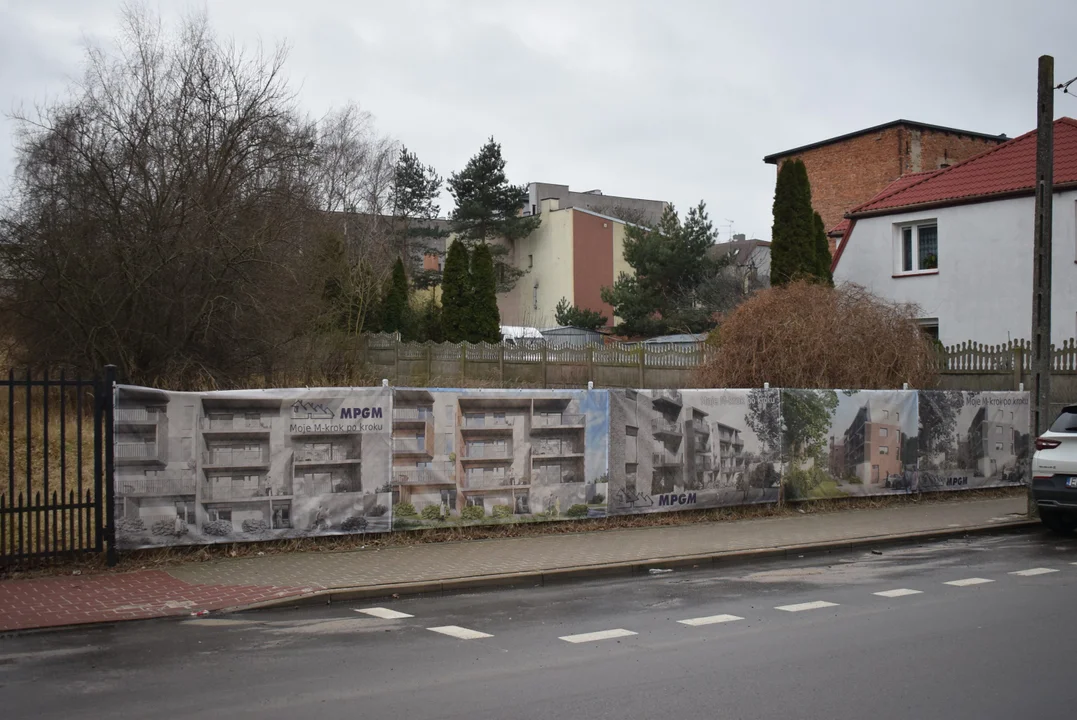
{"points": [[157, 214]]}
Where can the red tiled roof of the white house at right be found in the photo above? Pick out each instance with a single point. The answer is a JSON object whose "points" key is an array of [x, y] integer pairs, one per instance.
{"points": [[1008, 168]]}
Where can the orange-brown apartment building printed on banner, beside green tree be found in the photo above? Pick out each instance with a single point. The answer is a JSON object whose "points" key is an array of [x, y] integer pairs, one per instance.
{"points": [[872, 446]]}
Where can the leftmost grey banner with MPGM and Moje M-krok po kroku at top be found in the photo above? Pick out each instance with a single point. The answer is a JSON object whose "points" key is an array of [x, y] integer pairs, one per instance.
{"points": [[253, 465]]}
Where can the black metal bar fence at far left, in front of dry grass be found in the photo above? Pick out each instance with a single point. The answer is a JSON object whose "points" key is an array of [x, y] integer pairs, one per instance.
{"points": [[58, 500]]}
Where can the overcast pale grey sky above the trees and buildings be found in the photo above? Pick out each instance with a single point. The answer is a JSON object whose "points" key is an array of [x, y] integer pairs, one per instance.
{"points": [[676, 101]]}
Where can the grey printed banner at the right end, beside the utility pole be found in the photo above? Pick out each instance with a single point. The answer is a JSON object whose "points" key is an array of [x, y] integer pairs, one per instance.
{"points": [[970, 440]]}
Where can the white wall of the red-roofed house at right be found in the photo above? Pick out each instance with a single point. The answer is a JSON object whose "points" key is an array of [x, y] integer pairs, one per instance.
{"points": [[983, 291]]}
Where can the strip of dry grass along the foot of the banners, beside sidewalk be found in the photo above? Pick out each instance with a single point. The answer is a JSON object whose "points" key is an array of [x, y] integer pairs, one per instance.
{"points": [[170, 557]]}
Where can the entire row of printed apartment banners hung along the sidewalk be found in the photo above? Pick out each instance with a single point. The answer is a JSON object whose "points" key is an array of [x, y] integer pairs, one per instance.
{"points": [[255, 465]]}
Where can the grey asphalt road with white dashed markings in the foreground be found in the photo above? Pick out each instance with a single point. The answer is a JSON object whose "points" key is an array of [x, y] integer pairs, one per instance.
{"points": [[998, 650]]}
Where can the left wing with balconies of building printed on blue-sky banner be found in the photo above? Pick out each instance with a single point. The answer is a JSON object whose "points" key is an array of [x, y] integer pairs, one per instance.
{"points": [[423, 473]]}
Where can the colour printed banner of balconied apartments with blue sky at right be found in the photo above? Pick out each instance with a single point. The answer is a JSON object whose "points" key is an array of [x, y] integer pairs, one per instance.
{"points": [[470, 457]]}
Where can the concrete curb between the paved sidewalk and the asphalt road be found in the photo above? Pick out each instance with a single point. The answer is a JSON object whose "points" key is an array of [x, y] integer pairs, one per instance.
{"points": [[539, 578]]}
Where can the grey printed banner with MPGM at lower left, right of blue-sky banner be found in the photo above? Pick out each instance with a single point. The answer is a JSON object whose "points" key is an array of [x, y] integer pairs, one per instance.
{"points": [[682, 450]]}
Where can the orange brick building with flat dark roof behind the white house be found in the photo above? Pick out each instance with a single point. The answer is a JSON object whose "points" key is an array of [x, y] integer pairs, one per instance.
{"points": [[850, 170]]}
